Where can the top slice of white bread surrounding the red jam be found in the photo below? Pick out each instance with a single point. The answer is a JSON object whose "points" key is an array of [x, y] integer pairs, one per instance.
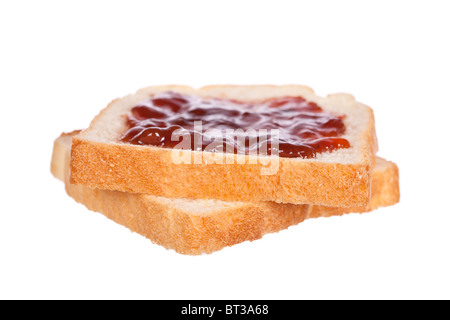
{"points": [[341, 178]]}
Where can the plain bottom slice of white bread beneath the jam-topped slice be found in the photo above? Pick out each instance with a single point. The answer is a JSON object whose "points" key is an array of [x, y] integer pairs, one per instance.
{"points": [[204, 226]]}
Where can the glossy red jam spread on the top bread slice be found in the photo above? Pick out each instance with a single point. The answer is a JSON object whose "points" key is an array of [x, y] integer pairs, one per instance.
{"points": [[305, 129]]}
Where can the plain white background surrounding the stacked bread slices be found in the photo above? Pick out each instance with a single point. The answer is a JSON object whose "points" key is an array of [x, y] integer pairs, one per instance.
{"points": [[61, 62]]}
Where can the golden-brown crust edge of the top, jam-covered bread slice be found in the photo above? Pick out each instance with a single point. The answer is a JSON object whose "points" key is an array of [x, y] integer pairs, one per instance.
{"points": [[121, 167]]}
